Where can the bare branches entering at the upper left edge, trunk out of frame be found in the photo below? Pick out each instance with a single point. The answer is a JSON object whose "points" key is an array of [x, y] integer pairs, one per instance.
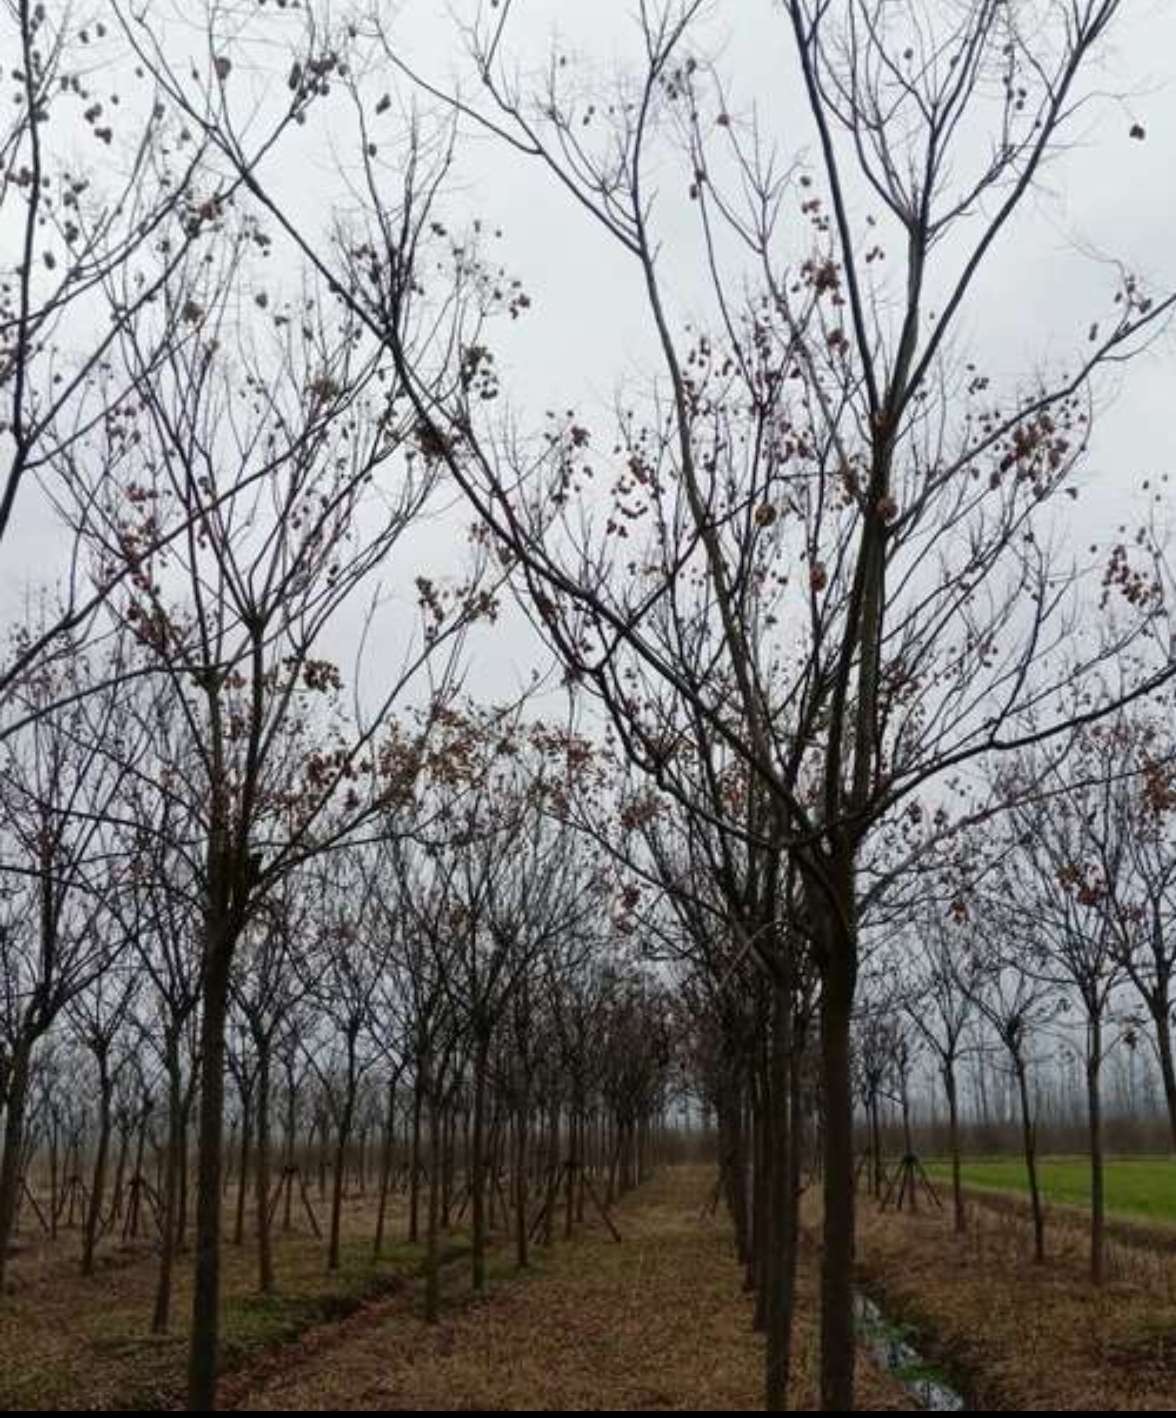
{"points": [[84, 259]]}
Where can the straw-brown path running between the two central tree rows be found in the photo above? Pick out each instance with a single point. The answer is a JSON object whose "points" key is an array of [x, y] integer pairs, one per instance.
{"points": [[658, 1322]]}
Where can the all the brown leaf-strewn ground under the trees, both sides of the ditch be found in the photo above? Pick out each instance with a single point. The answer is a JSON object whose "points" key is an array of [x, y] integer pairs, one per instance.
{"points": [[658, 1322]]}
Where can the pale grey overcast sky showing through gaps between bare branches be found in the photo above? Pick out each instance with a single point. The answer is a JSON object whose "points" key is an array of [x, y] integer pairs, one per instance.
{"points": [[588, 335]]}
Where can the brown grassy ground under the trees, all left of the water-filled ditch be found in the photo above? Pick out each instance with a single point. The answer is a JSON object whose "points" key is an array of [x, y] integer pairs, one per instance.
{"points": [[658, 1322]]}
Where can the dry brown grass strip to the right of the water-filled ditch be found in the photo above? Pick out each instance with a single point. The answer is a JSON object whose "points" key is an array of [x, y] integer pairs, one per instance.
{"points": [[1022, 1336]]}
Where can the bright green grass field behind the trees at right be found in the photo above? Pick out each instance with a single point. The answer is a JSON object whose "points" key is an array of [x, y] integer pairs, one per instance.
{"points": [[1140, 1188]]}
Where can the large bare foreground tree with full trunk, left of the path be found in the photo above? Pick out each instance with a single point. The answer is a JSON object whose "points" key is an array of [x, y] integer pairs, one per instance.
{"points": [[265, 452]]}
